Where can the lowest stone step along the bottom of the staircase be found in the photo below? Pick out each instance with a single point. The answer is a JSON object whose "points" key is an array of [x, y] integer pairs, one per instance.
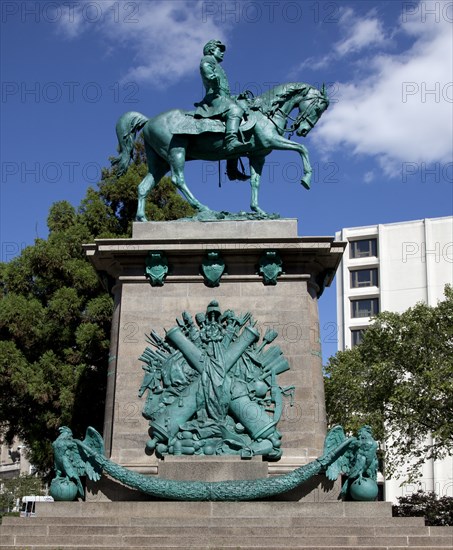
{"points": [[205, 540]]}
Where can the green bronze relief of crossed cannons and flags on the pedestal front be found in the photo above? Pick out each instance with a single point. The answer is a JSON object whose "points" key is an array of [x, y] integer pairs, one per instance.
{"points": [[212, 388]]}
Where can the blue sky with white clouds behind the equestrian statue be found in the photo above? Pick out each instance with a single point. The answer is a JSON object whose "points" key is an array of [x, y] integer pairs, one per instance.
{"points": [[381, 153]]}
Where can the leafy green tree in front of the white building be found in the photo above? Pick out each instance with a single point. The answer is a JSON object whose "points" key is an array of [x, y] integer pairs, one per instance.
{"points": [[400, 381]]}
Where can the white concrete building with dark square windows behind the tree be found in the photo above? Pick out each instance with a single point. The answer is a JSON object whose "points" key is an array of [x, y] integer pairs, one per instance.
{"points": [[391, 267]]}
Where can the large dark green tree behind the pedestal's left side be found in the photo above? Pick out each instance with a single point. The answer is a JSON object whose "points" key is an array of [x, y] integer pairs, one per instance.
{"points": [[55, 315]]}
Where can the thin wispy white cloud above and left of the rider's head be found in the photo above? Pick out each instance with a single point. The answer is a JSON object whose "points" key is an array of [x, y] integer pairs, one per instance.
{"points": [[164, 37]]}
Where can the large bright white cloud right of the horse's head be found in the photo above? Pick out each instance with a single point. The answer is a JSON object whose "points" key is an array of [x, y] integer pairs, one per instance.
{"points": [[391, 114]]}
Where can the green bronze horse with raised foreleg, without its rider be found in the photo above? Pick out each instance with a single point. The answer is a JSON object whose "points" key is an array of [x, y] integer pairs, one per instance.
{"points": [[167, 149]]}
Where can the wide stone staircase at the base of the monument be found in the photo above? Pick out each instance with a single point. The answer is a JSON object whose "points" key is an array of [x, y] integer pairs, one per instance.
{"points": [[184, 525]]}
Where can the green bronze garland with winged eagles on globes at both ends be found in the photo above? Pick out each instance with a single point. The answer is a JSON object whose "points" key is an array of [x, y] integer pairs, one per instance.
{"points": [[355, 457]]}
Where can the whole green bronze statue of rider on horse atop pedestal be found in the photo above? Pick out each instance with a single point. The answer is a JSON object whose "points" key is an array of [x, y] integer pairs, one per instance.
{"points": [[214, 132]]}
